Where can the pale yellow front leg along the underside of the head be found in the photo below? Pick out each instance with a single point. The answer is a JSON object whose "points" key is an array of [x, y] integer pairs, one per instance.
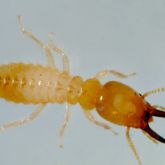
{"points": [[91, 118]]}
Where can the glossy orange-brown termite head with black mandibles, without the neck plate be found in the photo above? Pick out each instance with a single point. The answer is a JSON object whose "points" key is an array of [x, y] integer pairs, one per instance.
{"points": [[122, 105]]}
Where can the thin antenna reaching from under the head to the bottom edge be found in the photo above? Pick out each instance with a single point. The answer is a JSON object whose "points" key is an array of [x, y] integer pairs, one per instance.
{"points": [[130, 142]]}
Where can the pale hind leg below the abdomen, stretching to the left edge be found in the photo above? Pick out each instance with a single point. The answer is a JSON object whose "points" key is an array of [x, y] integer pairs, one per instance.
{"points": [[27, 119]]}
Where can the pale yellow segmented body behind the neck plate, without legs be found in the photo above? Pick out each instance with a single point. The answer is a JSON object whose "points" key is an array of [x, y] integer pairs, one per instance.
{"points": [[27, 83]]}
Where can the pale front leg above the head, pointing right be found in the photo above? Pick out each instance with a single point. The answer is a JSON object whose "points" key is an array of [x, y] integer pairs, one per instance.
{"points": [[106, 73]]}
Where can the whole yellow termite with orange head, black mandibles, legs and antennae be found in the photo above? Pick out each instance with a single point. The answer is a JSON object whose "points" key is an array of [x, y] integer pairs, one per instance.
{"points": [[114, 101]]}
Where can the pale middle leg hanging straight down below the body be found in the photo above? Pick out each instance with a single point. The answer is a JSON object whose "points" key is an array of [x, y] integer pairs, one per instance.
{"points": [[65, 123]]}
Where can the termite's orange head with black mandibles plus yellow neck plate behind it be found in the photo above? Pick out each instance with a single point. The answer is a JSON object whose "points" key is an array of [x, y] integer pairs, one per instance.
{"points": [[120, 104]]}
